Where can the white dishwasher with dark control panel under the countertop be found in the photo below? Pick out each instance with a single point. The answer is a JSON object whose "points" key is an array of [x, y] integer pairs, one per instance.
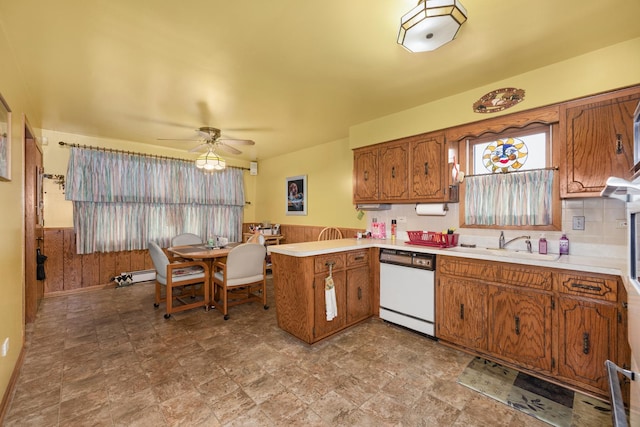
{"points": [[407, 289]]}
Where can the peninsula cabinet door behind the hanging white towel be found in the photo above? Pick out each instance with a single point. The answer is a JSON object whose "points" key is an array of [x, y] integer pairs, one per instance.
{"points": [[322, 326]]}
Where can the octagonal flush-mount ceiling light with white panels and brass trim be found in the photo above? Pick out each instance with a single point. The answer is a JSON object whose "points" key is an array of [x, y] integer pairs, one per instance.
{"points": [[431, 24]]}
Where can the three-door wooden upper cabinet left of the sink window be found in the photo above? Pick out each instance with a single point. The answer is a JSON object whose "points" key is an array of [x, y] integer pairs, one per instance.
{"points": [[408, 170]]}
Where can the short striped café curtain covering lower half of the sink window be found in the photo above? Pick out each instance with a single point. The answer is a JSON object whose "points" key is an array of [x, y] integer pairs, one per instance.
{"points": [[517, 198]]}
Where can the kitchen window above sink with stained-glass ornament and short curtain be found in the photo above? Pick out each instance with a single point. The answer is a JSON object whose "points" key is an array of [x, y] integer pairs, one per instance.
{"points": [[511, 183]]}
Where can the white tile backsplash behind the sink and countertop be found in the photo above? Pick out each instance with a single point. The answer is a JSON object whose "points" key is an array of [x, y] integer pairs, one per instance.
{"points": [[604, 234]]}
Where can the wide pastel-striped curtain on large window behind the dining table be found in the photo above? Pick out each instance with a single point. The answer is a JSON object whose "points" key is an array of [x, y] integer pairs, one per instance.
{"points": [[122, 201]]}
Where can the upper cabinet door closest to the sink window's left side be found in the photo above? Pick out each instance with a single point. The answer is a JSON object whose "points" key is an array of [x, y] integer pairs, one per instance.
{"points": [[428, 177]]}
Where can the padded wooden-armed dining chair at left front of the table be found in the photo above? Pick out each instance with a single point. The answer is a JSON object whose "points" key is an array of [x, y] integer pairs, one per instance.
{"points": [[179, 280]]}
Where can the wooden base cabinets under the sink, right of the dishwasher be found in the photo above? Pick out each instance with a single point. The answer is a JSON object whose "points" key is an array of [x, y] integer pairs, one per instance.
{"points": [[557, 324]]}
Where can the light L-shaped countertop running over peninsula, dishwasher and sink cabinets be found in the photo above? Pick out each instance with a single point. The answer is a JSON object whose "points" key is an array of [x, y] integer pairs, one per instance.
{"points": [[602, 265]]}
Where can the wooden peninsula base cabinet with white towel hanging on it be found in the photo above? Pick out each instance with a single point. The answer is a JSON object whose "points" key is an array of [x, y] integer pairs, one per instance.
{"points": [[299, 286]]}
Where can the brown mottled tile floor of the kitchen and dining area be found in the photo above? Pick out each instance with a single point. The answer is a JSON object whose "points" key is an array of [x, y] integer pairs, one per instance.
{"points": [[107, 358]]}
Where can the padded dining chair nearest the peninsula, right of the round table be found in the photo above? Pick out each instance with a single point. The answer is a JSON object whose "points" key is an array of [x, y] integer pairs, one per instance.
{"points": [[242, 278]]}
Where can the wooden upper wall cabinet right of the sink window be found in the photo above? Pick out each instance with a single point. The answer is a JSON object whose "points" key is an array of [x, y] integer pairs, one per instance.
{"points": [[598, 133]]}
